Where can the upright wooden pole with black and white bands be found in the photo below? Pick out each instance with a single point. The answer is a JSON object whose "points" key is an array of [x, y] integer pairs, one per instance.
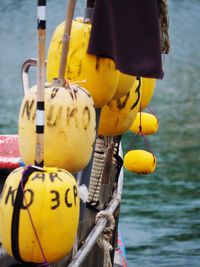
{"points": [[41, 28]]}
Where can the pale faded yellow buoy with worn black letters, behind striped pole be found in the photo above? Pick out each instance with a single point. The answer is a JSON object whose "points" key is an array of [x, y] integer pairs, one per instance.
{"points": [[69, 127]]}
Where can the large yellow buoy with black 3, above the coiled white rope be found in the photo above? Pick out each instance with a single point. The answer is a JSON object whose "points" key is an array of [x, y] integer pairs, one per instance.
{"points": [[117, 116]]}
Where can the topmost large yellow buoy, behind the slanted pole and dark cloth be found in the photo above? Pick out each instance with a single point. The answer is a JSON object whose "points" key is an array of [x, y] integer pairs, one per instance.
{"points": [[99, 74]]}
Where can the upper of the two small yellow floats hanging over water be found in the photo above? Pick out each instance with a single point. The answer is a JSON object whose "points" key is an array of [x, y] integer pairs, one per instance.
{"points": [[147, 121]]}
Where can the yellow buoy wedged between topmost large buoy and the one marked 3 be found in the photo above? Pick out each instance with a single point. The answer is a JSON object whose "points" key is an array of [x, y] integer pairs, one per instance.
{"points": [[124, 85]]}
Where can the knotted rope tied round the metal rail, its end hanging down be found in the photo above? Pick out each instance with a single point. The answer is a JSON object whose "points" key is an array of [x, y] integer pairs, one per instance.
{"points": [[104, 239]]}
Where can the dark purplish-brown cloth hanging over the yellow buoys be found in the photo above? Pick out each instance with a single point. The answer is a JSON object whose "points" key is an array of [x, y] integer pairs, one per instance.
{"points": [[127, 31]]}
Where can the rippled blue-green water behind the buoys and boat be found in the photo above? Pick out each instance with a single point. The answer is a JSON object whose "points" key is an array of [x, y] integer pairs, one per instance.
{"points": [[160, 214]]}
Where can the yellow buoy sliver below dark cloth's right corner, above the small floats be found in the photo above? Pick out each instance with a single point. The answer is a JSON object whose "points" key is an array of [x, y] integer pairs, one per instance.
{"points": [[148, 87]]}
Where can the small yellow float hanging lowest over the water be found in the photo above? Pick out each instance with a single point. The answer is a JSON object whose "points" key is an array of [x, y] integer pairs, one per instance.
{"points": [[140, 161]]}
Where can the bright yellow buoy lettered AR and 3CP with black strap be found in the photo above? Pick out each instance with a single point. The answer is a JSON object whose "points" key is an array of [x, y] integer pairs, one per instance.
{"points": [[52, 201]]}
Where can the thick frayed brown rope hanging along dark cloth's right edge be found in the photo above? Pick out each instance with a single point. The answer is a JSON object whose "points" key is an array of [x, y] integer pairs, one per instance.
{"points": [[164, 25]]}
